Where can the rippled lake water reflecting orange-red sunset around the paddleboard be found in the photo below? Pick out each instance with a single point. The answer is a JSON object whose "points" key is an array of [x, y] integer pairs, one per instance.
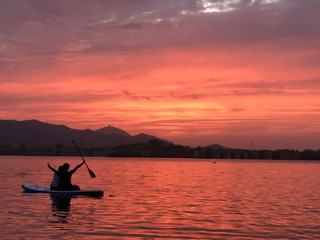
{"points": [[164, 199]]}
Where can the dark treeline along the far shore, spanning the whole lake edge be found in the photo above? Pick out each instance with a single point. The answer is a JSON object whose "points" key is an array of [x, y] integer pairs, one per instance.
{"points": [[161, 149]]}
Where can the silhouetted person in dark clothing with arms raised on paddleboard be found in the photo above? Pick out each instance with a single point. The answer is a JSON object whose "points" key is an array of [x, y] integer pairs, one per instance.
{"points": [[65, 176]]}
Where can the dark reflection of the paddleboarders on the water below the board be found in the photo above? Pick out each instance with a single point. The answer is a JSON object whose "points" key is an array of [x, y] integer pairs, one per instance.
{"points": [[60, 206]]}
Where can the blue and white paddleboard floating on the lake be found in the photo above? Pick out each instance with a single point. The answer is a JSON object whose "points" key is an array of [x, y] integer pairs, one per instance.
{"points": [[32, 188]]}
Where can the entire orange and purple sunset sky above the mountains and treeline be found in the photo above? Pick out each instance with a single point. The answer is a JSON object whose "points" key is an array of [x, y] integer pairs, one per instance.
{"points": [[195, 72]]}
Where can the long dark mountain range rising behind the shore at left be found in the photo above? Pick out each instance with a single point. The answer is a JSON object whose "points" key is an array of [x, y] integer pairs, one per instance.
{"points": [[39, 134]]}
